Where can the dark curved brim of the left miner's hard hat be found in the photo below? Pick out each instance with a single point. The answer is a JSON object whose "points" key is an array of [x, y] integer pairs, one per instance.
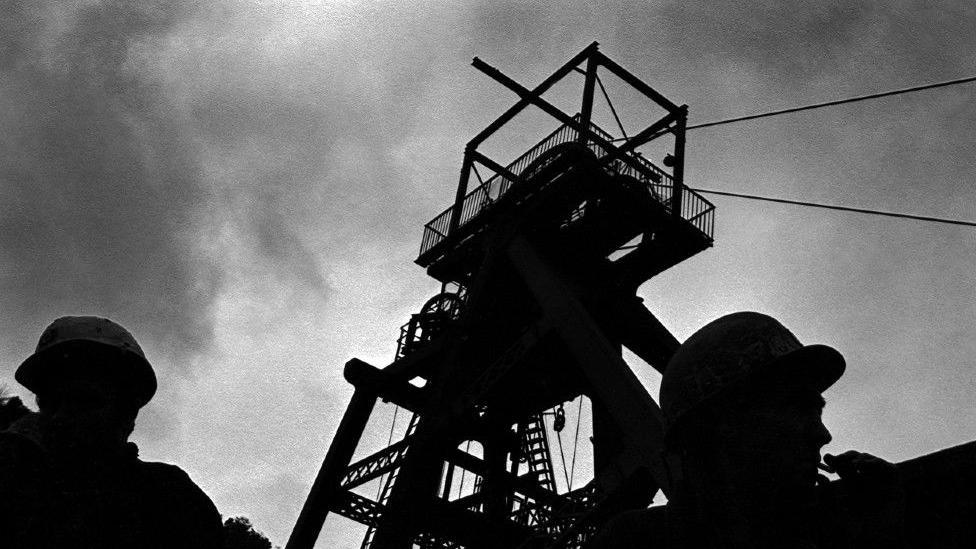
{"points": [[132, 374]]}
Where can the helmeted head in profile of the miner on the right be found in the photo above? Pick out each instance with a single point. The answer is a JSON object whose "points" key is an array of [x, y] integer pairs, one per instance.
{"points": [[742, 399]]}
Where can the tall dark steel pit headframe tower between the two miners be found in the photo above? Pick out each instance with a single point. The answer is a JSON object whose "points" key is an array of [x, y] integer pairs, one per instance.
{"points": [[539, 265]]}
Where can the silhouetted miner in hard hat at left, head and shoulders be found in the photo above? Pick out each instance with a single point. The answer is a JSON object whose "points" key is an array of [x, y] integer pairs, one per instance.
{"points": [[68, 476]]}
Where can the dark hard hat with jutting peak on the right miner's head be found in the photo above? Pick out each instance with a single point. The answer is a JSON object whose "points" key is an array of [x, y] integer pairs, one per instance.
{"points": [[736, 352]]}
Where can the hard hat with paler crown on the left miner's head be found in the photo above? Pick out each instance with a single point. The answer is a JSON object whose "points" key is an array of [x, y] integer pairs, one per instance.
{"points": [[89, 346]]}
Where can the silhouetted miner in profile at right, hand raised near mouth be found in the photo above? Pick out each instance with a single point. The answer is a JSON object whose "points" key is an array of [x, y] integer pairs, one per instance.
{"points": [[742, 400]]}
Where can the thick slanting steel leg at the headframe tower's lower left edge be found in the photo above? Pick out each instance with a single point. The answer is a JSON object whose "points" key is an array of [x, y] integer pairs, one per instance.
{"points": [[316, 508]]}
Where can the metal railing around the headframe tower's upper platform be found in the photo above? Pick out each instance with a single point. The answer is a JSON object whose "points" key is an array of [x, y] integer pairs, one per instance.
{"points": [[694, 208]]}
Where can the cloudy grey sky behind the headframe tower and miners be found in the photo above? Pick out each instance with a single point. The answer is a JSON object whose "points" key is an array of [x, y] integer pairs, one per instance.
{"points": [[243, 185]]}
